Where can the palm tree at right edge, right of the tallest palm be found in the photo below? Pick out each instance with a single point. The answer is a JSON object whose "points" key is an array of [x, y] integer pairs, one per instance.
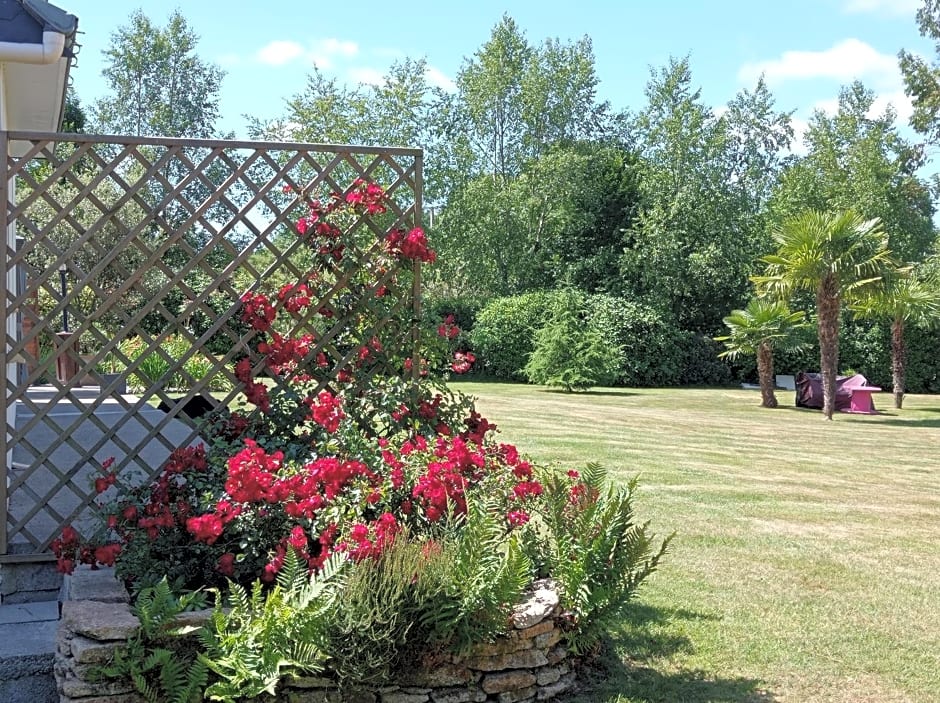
{"points": [[903, 299]]}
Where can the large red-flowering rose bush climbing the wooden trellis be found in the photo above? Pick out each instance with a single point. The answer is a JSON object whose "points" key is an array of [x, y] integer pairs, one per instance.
{"points": [[348, 444]]}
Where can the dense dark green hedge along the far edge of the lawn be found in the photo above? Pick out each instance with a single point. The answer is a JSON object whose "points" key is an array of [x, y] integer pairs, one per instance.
{"points": [[657, 353]]}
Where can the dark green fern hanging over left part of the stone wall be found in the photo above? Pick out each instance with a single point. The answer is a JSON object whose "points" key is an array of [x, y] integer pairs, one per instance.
{"points": [[161, 663]]}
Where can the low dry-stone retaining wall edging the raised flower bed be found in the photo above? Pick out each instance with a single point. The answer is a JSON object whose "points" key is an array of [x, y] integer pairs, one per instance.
{"points": [[529, 664]]}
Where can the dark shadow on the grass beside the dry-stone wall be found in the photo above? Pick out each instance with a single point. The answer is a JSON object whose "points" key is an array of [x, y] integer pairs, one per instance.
{"points": [[626, 666]]}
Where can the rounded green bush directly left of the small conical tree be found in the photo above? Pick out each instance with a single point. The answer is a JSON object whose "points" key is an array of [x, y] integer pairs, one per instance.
{"points": [[504, 333]]}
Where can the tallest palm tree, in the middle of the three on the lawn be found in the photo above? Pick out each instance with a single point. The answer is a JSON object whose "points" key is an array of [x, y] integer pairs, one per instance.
{"points": [[834, 255]]}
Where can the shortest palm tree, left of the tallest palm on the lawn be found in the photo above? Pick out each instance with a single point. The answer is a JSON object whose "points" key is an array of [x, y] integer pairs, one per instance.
{"points": [[762, 325]]}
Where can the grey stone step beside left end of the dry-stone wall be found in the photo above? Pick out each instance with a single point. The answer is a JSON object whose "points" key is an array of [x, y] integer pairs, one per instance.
{"points": [[27, 646]]}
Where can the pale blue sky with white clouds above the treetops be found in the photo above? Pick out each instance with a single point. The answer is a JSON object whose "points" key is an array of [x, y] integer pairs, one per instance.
{"points": [[806, 48]]}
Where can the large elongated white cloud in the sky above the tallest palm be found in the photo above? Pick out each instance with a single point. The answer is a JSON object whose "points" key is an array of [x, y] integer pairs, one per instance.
{"points": [[848, 60]]}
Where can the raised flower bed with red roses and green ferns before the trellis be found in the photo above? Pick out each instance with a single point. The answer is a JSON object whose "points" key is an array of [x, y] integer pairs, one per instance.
{"points": [[354, 516]]}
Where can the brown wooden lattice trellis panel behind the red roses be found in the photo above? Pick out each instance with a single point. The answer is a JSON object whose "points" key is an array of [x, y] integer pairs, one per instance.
{"points": [[156, 240]]}
